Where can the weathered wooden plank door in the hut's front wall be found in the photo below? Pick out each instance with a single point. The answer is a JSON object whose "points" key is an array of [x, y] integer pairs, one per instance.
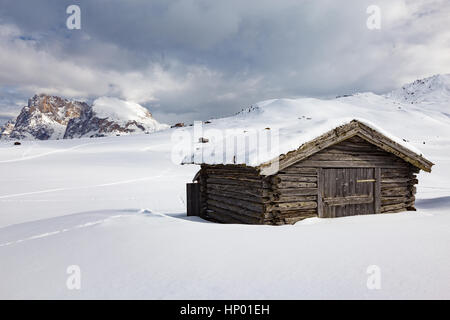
{"points": [[346, 192]]}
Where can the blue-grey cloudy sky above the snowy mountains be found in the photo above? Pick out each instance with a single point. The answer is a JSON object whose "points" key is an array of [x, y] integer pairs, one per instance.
{"points": [[196, 59]]}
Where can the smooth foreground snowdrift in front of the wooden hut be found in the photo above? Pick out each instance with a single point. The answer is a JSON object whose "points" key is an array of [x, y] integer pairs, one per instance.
{"points": [[134, 254]]}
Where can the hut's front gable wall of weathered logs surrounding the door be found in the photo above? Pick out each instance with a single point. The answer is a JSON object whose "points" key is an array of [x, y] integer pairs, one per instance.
{"points": [[298, 186]]}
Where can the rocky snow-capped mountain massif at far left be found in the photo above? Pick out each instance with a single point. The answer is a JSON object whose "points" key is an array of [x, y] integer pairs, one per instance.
{"points": [[51, 117]]}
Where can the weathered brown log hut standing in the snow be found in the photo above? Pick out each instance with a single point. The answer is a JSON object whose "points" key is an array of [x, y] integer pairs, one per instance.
{"points": [[350, 170]]}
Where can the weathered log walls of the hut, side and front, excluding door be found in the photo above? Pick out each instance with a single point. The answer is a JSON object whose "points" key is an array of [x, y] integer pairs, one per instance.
{"points": [[238, 194]]}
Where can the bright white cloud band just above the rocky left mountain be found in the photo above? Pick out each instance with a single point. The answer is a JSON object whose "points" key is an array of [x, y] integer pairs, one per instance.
{"points": [[24, 64]]}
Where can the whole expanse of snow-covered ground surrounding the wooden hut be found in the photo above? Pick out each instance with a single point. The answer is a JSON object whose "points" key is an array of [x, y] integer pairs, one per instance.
{"points": [[115, 207]]}
